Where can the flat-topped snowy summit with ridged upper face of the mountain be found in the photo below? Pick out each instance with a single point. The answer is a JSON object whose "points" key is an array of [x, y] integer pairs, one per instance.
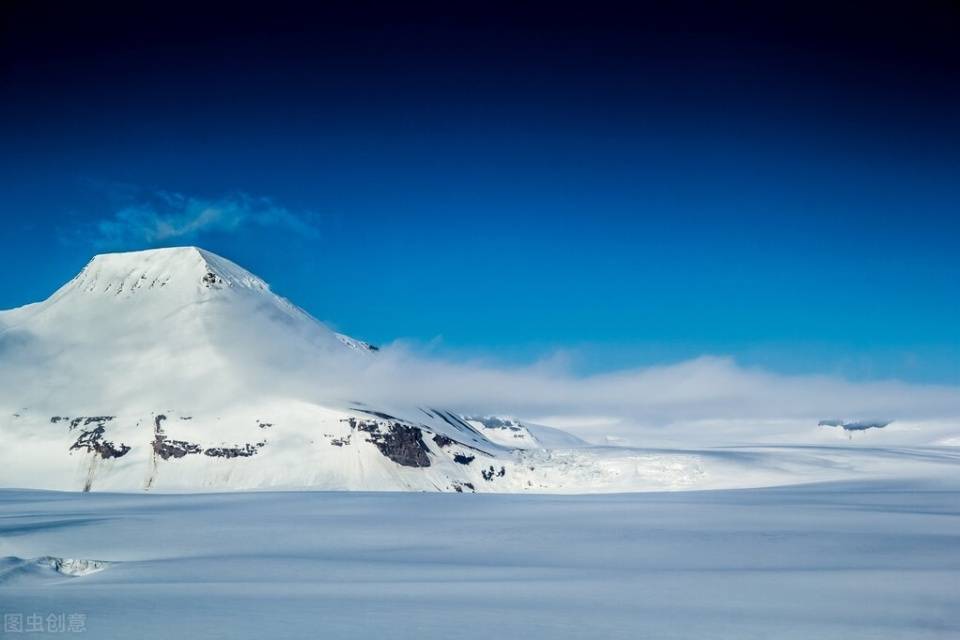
{"points": [[157, 269]]}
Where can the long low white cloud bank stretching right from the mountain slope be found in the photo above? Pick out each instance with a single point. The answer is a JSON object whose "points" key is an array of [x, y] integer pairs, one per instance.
{"points": [[705, 401]]}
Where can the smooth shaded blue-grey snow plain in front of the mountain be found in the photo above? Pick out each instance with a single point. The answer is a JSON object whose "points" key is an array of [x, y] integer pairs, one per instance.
{"points": [[874, 559]]}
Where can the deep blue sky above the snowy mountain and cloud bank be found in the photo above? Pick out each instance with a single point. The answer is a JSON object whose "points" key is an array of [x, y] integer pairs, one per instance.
{"points": [[634, 186]]}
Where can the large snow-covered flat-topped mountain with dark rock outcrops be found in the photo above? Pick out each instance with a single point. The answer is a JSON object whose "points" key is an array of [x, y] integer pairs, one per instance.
{"points": [[177, 370]]}
